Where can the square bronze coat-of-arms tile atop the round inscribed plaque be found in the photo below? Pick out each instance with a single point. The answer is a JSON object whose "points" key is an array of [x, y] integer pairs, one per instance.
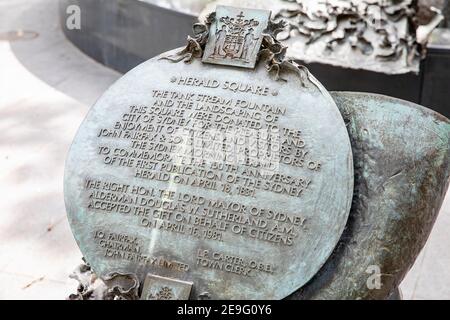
{"points": [[235, 36]]}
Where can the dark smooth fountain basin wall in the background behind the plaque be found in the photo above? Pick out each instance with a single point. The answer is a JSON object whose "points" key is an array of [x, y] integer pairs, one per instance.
{"points": [[123, 34]]}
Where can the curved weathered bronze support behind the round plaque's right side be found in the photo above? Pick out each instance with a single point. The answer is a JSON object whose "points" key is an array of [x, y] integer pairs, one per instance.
{"points": [[401, 155]]}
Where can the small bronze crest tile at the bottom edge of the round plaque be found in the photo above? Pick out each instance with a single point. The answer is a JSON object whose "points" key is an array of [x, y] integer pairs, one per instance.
{"points": [[162, 288]]}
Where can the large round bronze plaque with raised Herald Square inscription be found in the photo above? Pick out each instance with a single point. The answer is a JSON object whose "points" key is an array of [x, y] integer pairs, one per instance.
{"points": [[212, 175]]}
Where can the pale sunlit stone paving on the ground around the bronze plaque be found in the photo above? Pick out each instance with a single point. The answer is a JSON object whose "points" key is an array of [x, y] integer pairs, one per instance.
{"points": [[46, 89]]}
